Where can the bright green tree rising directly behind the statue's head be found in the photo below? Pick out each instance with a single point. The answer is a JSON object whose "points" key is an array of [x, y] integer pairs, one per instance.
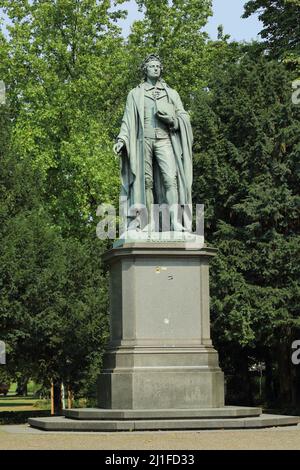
{"points": [[174, 31]]}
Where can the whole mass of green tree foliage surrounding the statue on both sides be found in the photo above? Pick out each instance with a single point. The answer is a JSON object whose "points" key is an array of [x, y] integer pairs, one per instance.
{"points": [[67, 71]]}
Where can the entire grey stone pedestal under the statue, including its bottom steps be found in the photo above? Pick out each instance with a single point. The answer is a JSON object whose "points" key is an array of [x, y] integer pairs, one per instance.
{"points": [[160, 370]]}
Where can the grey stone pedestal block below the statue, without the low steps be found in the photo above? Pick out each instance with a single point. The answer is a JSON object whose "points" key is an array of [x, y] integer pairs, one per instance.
{"points": [[160, 354]]}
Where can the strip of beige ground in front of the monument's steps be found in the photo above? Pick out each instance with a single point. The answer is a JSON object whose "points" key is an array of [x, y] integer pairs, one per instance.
{"points": [[22, 437]]}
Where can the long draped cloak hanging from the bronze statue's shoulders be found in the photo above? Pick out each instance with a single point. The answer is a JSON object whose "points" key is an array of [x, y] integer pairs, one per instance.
{"points": [[132, 160]]}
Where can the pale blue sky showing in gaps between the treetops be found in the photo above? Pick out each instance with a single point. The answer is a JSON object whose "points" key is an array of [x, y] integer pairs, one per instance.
{"points": [[226, 12]]}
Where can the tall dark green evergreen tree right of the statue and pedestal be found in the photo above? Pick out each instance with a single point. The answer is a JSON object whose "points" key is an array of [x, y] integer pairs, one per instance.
{"points": [[246, 160]]}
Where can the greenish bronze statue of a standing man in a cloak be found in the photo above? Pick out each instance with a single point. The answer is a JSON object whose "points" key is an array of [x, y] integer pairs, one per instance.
{"points": [[155, 141]]}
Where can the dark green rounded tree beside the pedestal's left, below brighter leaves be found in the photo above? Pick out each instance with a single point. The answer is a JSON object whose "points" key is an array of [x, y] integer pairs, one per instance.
{"points": [[53, 316]]}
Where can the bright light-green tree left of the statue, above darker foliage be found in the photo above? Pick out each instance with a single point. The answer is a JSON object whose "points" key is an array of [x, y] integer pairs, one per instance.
{"points": [[59, 71]]}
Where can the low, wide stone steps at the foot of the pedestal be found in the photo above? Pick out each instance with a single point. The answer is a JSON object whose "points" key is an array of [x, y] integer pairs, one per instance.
{"points": [[162, 420]]}
